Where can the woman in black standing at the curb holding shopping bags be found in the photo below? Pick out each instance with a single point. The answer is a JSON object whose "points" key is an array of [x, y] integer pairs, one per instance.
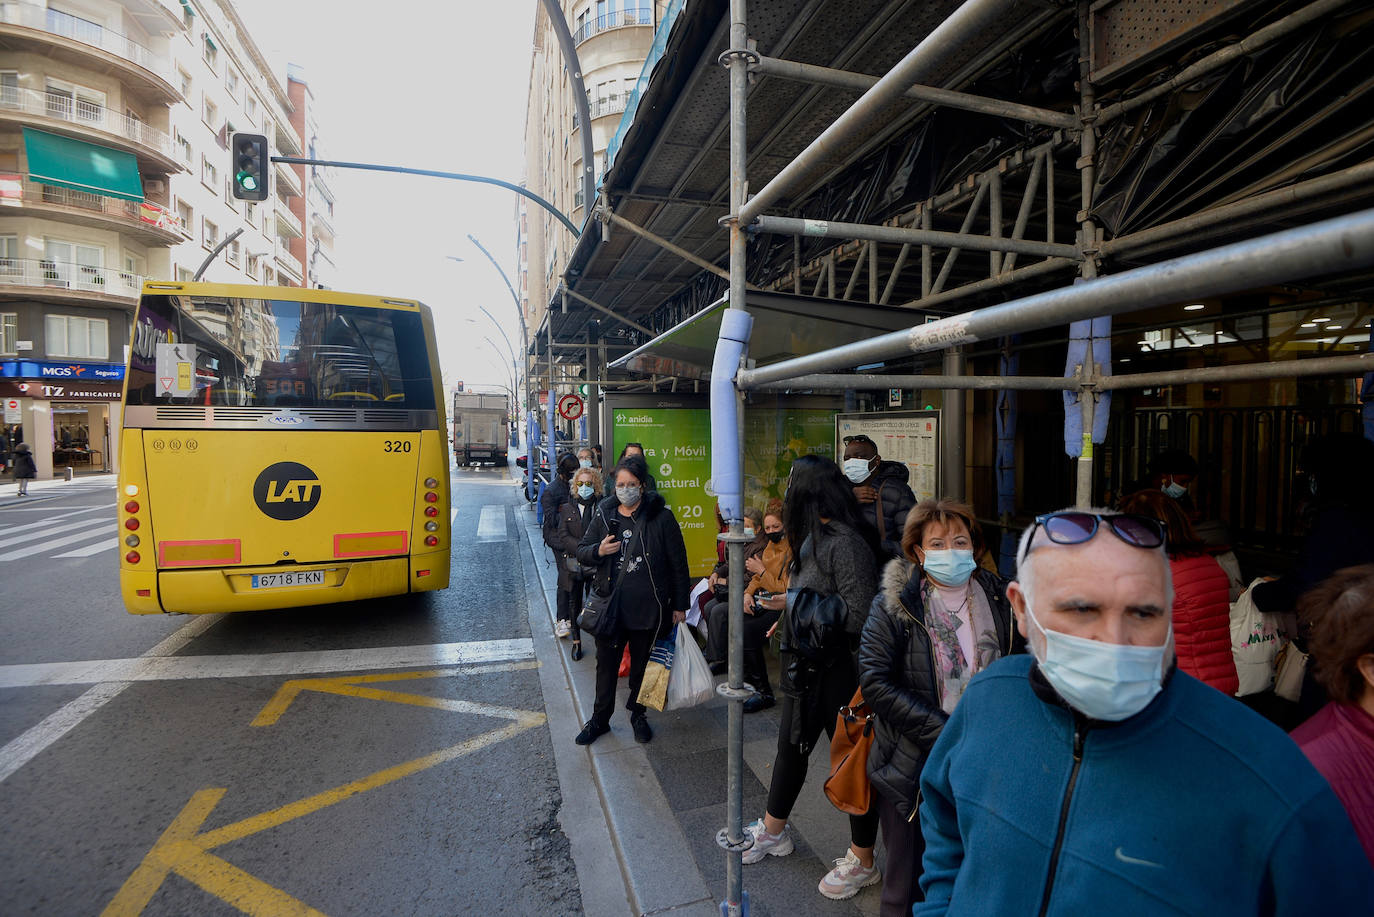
{"points": [[638, 546]]}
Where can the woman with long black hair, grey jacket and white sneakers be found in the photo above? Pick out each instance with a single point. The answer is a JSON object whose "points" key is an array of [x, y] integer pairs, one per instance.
{"points": [[832, 557]]}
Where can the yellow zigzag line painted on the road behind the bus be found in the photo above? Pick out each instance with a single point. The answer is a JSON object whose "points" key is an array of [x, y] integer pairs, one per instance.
{"points": [[185, 853]]}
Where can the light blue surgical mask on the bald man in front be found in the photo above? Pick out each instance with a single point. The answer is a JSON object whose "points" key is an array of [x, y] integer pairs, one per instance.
{"points": [[1104, 681]]}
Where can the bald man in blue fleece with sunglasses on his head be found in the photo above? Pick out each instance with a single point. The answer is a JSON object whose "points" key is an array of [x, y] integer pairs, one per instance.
{"points": [[1094, 776]]}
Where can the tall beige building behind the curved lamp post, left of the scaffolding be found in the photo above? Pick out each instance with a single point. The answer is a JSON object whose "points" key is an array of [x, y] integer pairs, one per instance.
{"points": [[612, 39]]}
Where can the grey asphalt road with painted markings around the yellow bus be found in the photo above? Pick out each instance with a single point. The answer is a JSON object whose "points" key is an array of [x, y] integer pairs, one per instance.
{"points": [[379, 758]]}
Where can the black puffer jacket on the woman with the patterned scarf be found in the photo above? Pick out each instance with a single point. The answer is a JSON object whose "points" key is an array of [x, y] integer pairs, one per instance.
{"points": [[899, 681]]}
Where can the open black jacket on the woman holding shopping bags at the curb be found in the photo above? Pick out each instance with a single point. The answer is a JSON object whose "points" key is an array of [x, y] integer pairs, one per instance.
{"points": [[664, 552]]}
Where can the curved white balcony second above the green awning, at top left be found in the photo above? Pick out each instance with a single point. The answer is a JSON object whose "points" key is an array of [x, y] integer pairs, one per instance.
{"points": [[28, 27]]}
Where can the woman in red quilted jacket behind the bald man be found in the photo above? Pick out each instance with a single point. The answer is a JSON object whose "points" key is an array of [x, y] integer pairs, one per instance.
{"points": [[1202, 595]]}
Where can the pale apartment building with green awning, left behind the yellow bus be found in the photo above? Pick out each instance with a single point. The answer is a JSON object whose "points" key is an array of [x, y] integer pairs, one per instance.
{"points": [[116, 119]]}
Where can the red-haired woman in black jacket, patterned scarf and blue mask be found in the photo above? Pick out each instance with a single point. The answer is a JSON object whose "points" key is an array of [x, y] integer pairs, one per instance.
{"points": [[938, 621]]}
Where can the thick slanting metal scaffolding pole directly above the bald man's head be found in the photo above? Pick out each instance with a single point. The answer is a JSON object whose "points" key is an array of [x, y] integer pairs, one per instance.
{"points": [[1329, 247]]}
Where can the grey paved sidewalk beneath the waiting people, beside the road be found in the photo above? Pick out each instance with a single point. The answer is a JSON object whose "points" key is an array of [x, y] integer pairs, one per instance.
{"points": [[663, 804]]}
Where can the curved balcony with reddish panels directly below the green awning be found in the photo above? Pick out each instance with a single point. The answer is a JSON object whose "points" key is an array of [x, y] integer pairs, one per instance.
{"points": [[145, 221]]}
